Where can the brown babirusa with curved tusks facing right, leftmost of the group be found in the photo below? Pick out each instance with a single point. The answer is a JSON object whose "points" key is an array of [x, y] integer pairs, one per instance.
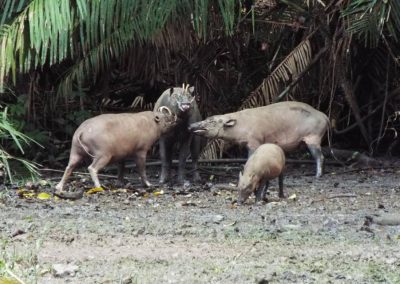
{"points": [[112, 137]]}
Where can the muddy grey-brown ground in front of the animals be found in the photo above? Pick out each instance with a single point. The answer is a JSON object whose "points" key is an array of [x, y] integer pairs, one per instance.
{"points": [[196, 235]]}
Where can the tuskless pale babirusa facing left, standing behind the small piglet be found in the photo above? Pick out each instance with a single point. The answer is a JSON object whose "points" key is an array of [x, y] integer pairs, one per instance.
{"points": [[287, 124]]}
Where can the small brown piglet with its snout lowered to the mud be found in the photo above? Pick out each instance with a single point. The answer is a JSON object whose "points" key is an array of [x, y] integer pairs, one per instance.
{"points": [[266, 163]]}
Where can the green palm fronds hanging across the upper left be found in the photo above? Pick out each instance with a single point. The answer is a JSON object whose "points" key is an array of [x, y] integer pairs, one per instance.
{"points": [[92, 33]]}
